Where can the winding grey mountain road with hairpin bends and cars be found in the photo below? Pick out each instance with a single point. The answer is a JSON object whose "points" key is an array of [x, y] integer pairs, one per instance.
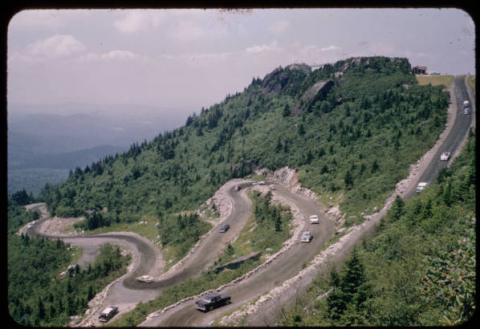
{"points": [[127, 292]]}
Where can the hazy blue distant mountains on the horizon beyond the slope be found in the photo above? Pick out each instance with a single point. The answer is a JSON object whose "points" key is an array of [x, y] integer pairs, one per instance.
{"points": [[45, 141]]}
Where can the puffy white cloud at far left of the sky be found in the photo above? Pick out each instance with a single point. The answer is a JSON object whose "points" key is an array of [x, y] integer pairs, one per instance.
{"points": [[55, 47]]}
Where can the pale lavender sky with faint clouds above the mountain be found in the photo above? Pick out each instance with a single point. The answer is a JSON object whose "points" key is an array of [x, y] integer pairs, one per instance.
{"points": [[180, 60]]}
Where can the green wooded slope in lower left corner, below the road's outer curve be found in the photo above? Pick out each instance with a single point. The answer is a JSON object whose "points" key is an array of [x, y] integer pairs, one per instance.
{"points": [[37, 295]]}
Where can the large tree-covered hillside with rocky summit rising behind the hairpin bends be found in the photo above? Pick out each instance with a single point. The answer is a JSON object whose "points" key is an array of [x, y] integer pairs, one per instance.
{"points": [[351, 129]]}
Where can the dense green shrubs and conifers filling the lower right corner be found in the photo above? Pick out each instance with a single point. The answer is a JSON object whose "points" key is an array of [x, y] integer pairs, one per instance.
{"points": [[418, 270]]}
